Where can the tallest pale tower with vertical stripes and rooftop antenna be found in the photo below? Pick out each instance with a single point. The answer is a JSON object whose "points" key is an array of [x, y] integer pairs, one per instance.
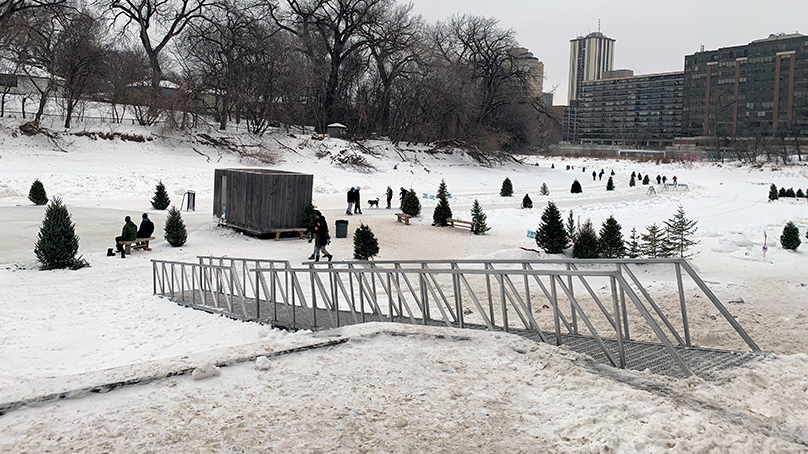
{"points": [[590, 56]]}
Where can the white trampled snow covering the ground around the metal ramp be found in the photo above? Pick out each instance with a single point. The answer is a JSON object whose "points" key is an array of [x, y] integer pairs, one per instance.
{"points": [[388, 388]]}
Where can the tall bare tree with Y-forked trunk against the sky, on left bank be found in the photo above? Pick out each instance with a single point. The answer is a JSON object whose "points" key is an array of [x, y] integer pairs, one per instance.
{"points": [[157, 22]]}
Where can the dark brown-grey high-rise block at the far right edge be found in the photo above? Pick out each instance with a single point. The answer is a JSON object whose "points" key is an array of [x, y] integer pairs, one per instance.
{"points": [[757, 89]]}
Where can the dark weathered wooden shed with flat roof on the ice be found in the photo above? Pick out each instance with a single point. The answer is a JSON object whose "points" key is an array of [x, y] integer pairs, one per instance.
{"points": [[261, 201]]}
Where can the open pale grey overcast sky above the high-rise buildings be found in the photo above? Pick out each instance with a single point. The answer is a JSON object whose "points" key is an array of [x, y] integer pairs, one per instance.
{"points": [[651, 36]]}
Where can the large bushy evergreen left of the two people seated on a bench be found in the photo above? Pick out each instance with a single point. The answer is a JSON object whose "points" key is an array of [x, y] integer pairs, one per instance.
{"points": [[57, 242]]}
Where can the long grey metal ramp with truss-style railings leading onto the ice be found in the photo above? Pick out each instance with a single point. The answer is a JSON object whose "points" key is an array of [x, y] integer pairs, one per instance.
{"points": [[596, 307]]}
